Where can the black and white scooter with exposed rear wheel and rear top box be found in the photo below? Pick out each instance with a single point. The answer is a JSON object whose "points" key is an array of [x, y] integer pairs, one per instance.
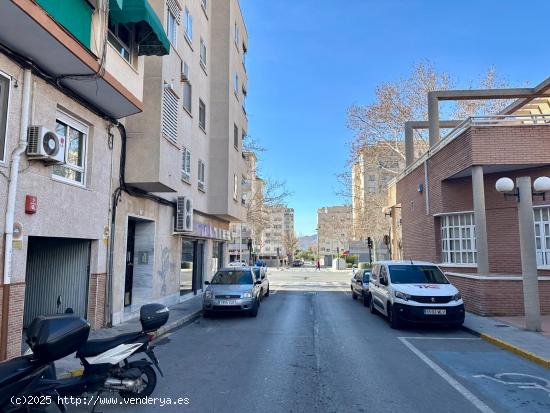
{"points": [[107, 366]]}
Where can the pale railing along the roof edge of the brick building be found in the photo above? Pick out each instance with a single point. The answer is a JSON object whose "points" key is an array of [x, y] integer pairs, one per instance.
{"points": [[476, 121]]}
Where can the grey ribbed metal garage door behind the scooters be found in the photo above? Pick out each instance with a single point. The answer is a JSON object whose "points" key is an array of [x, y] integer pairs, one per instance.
{"points": [[56, 268]]}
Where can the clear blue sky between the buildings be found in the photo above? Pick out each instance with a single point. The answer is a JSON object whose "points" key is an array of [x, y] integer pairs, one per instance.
{"points": [[309, 60]]}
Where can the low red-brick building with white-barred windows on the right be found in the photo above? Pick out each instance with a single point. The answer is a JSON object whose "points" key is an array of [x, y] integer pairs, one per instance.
{"points": [[453, 215]]}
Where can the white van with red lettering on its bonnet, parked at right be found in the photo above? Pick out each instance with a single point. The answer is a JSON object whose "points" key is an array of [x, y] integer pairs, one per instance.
{"points": [[415, 292]]}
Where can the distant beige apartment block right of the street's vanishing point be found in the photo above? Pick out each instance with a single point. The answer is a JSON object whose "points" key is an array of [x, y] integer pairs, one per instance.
{"points": [[334, 230]]}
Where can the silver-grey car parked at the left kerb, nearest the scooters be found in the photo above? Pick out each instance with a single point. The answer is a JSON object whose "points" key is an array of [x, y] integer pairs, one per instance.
{"points": [[233, 289]]}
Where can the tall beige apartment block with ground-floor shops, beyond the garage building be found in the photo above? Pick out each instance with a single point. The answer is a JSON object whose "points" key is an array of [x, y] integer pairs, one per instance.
{"points": [[186, 145]]}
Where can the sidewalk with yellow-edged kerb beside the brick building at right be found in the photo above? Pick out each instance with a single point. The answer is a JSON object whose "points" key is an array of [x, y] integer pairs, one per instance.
{"points": [[503, 333]]}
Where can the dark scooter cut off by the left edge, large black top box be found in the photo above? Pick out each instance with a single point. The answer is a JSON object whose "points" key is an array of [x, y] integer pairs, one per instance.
{"points": [[50, 338]]}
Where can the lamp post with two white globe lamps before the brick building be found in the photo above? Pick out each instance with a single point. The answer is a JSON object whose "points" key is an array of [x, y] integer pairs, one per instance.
{"points": [[524, 195]]}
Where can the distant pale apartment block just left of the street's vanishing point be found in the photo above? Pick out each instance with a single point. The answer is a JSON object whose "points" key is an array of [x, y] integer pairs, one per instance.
{"points": [[273, 247]]}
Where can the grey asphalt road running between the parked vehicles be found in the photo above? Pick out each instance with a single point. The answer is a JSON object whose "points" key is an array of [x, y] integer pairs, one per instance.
{"points": [[314, 349]]}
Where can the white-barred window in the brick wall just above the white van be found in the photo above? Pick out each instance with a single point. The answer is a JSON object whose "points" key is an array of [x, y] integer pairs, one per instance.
{"points": [[458, 243]]}
